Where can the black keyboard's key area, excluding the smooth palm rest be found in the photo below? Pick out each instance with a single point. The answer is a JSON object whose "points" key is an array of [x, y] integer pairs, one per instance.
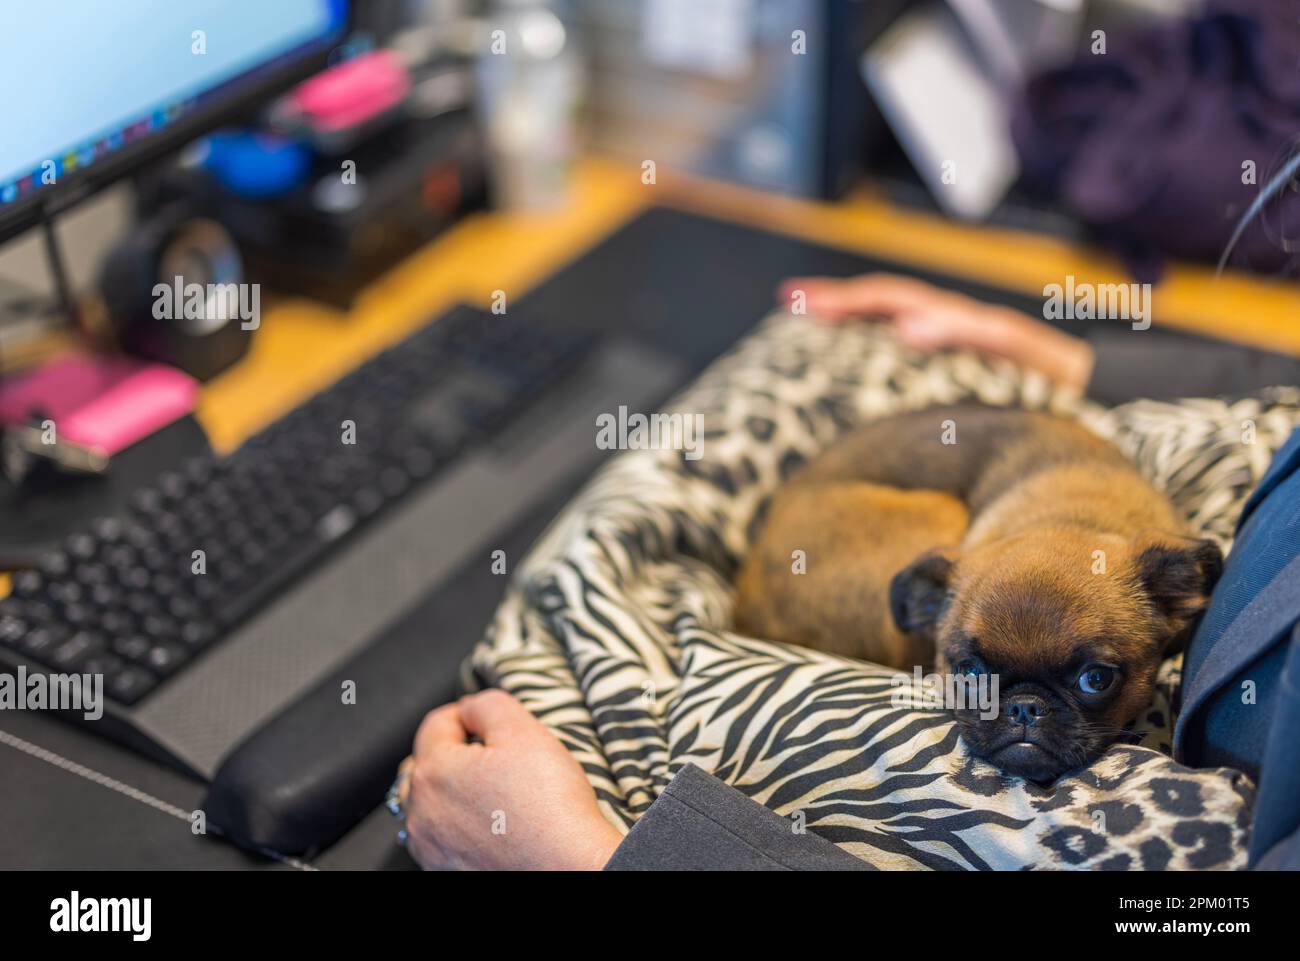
{"points": [[141, 596]]}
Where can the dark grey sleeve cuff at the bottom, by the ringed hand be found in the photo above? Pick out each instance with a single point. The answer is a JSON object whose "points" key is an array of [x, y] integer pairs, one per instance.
{"points": [[701, 825]]}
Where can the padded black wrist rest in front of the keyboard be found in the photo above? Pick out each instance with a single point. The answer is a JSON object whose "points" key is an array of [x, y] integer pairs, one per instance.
{"points": [[318, 768]]}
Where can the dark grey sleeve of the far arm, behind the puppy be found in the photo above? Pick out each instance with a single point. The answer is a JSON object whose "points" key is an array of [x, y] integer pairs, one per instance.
{"points": [[1145, 363]]}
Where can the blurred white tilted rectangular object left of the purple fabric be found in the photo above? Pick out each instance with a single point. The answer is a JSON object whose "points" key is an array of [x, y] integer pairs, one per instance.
{"points": [[948, 116]]}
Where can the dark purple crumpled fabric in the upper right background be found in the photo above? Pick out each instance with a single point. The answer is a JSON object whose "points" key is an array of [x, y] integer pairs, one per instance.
{"points": [[1146, 144]]}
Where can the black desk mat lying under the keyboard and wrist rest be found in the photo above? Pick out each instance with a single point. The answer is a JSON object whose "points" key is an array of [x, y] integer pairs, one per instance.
{"points": [[688, 284]]}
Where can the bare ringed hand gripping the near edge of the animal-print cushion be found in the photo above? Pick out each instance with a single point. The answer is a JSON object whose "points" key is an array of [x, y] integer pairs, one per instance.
{"points": [[488, 787]]}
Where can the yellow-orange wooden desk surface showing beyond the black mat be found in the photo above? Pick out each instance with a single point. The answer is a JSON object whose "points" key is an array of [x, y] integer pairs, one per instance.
{"points": [[305, 347]]}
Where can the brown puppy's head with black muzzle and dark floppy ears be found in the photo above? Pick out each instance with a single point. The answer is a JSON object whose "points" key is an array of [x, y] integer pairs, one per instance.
{"points": [[1073, 627]]}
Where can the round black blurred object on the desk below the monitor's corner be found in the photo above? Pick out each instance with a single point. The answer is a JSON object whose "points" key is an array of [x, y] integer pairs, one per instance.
{"points": [[175, 292]]}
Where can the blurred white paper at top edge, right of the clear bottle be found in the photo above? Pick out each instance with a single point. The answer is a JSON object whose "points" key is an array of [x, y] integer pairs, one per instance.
{"points": [[710, 37]]}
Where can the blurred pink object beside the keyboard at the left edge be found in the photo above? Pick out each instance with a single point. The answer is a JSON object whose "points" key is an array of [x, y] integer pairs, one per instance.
{"points": [[105, 404]]}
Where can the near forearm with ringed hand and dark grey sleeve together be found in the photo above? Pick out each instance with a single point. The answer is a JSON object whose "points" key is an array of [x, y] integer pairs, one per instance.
{"points": [[488, 787]]}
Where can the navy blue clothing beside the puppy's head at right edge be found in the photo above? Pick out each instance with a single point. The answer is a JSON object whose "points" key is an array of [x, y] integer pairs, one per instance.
{"points": [[1241, 699]]}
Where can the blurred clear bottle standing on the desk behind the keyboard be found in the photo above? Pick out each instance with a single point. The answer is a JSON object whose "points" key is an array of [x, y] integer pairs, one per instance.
{"points": [[531, 96]]}
